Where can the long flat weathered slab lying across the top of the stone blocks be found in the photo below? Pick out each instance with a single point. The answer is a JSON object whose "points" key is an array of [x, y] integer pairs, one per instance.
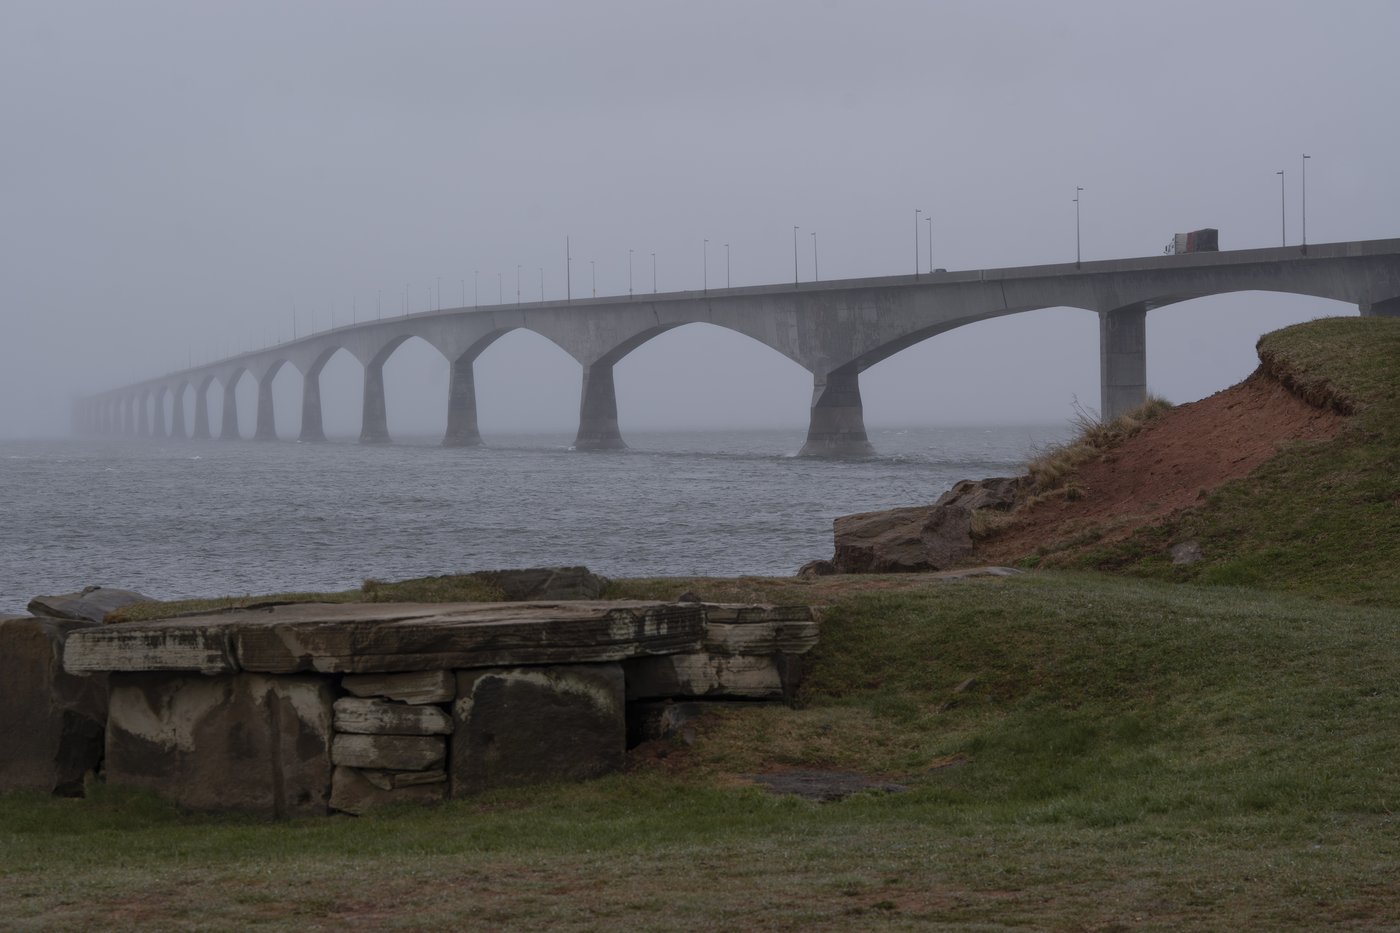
{"points": [[388, 638]]}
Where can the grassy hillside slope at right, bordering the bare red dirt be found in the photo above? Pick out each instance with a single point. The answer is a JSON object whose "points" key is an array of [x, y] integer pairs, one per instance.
{"points": [[1318, 518]]}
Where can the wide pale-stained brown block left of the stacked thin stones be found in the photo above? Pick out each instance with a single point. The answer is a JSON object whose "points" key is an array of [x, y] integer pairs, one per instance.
{"points": [[244, 742]]}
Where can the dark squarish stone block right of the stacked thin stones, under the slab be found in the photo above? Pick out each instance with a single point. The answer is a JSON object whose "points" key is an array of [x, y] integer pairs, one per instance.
{"points": [[531, 725]]}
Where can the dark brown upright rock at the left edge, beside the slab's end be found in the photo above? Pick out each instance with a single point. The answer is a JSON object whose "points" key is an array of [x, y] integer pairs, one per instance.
{"points": [[51, 722]]}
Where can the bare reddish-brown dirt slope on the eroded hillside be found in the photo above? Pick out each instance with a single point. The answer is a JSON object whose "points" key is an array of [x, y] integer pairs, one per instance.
{"points": [[1168, 467]]}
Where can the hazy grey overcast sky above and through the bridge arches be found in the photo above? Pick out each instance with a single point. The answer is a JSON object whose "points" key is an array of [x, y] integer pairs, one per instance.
{"points": [[176, 179]]}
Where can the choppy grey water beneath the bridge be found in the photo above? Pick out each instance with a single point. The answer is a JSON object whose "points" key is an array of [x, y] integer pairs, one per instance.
{"points": [[202, 519]]}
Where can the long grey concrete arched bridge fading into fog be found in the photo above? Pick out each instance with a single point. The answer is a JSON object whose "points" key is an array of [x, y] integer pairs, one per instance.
{"points": [[835, 330]]}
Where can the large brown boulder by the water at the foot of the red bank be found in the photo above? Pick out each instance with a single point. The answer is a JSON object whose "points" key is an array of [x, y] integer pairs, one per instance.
{"points": [[902, 540]]}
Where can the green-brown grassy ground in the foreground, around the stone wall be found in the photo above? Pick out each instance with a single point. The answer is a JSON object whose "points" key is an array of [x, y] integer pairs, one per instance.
{"points": [[1130, 756]]}
